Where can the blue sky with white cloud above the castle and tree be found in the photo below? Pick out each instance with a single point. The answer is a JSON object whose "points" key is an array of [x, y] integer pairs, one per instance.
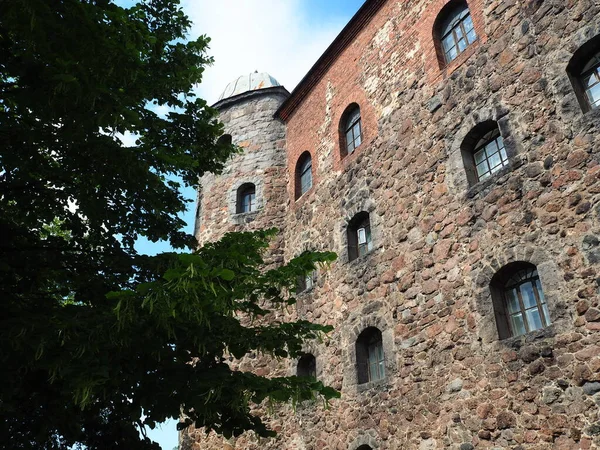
{"points": [[281, 37]]}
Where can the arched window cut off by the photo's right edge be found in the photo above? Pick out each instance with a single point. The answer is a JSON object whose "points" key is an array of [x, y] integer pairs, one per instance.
{"points": [[584, 71]]}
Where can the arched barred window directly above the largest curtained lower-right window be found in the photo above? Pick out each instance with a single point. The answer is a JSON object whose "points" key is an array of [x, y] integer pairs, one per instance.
{"points": [[483, 152]]}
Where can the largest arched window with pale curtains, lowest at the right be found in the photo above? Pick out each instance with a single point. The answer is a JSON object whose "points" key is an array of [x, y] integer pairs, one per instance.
{"points": [[519, 302]]}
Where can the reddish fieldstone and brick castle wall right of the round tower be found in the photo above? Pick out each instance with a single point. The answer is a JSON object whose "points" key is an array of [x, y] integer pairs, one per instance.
{"points": [[438, 240]]}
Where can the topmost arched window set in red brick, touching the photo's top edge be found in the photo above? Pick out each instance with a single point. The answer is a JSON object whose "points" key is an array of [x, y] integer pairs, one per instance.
{"points": [[453, 31]]}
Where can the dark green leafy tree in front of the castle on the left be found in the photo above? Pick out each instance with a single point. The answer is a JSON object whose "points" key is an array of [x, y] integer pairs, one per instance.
{"points": [[94, 336]]}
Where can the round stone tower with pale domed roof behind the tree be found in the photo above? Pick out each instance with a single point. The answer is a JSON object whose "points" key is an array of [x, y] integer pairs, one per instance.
{"points": [[251, 192]]}
